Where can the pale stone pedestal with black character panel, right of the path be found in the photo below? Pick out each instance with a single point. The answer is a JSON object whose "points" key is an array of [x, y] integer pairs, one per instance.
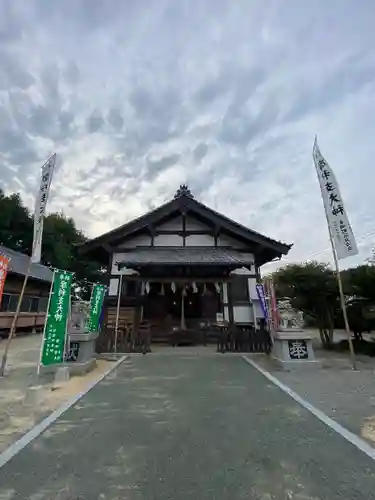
{"points": [[293, 349]]}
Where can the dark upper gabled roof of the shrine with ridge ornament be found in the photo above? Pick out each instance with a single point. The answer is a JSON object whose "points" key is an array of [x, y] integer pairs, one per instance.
{"points": [[185, 202]]}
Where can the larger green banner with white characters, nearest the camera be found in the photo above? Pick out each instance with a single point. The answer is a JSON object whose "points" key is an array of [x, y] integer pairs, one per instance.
{"points": [[57, 316]]}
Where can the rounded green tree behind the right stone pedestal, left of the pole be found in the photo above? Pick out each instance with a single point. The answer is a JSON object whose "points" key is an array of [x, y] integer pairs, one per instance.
{"points": [[312, 289]]}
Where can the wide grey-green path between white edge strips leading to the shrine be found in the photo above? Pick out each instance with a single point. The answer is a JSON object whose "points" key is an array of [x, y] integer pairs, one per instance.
{"points": [[188, 427]]}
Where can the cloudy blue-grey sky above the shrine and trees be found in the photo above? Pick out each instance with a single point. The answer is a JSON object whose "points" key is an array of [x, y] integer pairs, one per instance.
{"points": [[139, 96]]}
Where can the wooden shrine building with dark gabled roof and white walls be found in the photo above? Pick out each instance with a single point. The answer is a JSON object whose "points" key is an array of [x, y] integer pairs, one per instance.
{"points": [[180, 266]]}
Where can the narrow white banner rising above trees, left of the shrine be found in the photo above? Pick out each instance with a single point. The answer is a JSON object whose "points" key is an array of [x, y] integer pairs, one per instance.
{"points": [[40, 207]]}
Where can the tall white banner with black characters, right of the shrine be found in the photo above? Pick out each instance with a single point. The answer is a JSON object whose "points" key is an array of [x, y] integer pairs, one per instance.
{"points": [[338, 222]]}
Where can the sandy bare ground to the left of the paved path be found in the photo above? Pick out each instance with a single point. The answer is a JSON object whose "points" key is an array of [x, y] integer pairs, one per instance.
{"points": [[18, 412]]}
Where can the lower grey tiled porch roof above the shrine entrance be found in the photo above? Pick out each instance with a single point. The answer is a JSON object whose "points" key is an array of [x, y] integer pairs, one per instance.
{"points": [[185, 256]]}
